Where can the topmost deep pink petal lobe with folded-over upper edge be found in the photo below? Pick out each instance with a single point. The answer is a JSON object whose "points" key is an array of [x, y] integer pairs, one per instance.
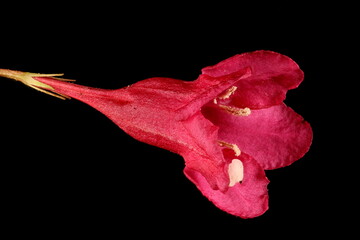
{"points": [[272, 74]]}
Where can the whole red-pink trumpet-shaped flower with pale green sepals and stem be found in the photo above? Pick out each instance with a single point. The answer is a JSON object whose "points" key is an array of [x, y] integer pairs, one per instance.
{"points": [[229, 125]]}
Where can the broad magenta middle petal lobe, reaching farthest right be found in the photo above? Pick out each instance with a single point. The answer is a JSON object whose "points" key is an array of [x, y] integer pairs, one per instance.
{"points": [[275, 136]]}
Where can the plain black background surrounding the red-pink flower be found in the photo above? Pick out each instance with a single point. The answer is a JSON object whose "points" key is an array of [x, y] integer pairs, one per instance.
{"points": [[65, 167]]}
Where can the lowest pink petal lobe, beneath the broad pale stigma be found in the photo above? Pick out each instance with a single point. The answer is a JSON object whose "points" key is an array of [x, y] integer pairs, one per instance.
{"points": [[247, 199]]}
